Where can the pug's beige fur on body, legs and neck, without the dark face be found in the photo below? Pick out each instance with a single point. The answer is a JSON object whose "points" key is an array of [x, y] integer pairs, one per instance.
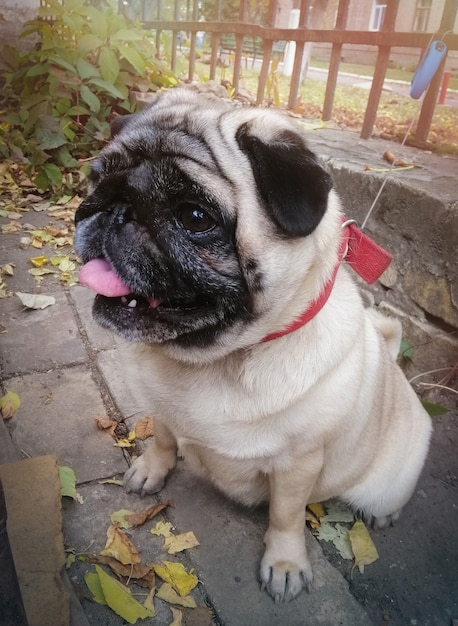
{"points": [[319, 413]]}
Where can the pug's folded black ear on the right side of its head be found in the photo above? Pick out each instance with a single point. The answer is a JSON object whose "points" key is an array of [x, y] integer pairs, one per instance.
{"points": [[291, 182]]}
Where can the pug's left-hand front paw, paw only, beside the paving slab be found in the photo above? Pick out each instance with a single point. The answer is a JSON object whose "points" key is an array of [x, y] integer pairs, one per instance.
{"points": [[147, 474]]}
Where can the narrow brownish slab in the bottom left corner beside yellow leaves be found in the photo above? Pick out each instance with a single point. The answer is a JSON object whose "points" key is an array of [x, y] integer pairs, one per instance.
{"points": [[32, 491]]}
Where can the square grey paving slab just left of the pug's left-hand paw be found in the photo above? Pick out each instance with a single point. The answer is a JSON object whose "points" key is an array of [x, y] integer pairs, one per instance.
{"points": [[57, 417]]}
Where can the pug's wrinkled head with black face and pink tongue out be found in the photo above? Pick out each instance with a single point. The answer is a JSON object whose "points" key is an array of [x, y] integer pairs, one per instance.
{"points": [[197, 219]]}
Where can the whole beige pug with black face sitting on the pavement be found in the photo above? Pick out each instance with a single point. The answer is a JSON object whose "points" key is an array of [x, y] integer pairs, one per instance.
{"points": [[214, 240]]}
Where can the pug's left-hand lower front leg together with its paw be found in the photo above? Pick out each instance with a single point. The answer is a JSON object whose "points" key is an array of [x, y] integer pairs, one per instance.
{"points": [[147, 474]]}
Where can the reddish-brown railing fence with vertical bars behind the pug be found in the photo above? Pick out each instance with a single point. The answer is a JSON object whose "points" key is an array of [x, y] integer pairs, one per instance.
{"points": [[269, 35]]}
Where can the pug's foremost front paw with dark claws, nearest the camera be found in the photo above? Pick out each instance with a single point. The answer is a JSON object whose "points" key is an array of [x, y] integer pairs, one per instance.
{"points": [[285, 577]]}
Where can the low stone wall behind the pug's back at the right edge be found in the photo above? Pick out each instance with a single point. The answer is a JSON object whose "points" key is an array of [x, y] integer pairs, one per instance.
{"points": [[416, 219]]}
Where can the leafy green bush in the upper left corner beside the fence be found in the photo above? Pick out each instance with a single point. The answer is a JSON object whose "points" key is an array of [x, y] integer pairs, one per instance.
{"points": [[57, 99]]}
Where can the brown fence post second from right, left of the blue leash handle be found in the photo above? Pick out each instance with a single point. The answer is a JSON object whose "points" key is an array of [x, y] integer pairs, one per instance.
{"points": [[380, 71]]}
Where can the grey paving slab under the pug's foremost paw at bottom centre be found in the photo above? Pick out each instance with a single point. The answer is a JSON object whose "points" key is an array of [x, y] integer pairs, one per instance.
{"points": [[227, 562]]}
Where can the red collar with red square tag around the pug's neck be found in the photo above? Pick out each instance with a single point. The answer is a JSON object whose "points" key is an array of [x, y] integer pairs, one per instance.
{"points": [[368, 260]]}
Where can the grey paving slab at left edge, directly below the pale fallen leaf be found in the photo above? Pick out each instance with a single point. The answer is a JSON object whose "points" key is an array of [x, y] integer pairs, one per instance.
{"points": [[39, 340]]}
